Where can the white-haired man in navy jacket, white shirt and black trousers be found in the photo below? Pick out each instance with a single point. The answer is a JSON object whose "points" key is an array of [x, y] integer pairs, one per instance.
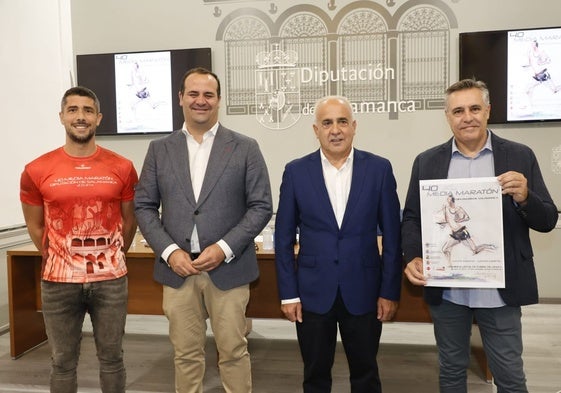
{"points": [[337, 198]]}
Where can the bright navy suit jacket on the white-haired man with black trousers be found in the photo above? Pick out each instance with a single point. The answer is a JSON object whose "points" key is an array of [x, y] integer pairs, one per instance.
{"points": [[332, 258]]}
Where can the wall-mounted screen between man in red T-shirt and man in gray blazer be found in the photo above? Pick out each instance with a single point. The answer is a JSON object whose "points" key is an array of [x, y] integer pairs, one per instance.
{"points": [[138, 91]]}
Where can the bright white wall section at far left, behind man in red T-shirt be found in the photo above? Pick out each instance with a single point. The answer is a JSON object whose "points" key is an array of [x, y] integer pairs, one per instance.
{"points": [[36, 62]]}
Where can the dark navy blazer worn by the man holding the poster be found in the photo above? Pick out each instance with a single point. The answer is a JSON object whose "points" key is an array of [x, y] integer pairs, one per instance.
{"points": [[540, 214]]}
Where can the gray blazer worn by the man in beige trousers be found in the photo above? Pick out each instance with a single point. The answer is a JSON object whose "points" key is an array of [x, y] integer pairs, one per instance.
{"points": [[234, 203]]}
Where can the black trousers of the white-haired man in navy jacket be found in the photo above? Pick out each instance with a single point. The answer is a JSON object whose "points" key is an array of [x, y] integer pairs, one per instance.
{"points": [[360, 334]]}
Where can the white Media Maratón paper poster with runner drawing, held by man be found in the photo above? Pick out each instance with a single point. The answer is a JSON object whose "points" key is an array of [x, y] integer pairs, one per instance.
{"points": [[462, 232]]}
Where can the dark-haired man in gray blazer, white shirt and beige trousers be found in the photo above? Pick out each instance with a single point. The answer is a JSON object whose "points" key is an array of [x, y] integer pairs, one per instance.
{"points": [[213, 188]]}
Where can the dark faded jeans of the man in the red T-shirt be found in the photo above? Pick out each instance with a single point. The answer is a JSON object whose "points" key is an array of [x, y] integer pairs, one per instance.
{"points": [[64, 308]]}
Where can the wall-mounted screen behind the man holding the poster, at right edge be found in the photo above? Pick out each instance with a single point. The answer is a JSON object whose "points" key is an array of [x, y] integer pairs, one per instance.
{"points": [[521, 67]]}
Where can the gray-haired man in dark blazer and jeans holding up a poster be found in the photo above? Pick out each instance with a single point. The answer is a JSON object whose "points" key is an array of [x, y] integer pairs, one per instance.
{"points": [[476, 152]]}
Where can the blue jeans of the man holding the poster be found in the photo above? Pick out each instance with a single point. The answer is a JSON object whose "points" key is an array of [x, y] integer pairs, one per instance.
{"points": [[501, 333]]}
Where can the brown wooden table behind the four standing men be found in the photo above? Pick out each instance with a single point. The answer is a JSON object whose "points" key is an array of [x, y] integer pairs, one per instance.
{"points": [[27, 328]]}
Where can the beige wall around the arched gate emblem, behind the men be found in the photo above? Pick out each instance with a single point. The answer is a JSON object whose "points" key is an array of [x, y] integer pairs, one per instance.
{"points": [[130, 25]]}
